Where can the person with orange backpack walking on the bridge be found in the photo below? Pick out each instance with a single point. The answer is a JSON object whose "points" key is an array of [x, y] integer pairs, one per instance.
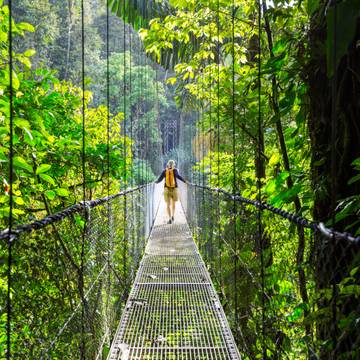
{"points": [[171, 195]]}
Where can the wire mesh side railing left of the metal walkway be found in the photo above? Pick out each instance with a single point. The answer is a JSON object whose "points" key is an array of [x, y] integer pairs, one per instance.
{"points": [[71, 273]]}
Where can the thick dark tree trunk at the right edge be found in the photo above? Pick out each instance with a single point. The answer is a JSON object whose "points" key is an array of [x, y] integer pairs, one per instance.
{"points": [[333, 258]]}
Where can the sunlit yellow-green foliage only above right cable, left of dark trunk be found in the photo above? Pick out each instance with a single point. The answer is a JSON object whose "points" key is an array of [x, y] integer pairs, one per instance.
{"points": [[210, 67]]}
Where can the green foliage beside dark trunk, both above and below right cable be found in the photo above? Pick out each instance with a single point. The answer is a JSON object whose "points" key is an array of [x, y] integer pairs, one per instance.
{"points": [[216, 74]]}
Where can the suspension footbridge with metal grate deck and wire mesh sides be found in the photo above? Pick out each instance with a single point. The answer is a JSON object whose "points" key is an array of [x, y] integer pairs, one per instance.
{"points": [[174, 309]]}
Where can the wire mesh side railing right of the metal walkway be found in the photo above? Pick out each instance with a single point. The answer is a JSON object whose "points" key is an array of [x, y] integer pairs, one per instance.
{"points": [[289, 287]]}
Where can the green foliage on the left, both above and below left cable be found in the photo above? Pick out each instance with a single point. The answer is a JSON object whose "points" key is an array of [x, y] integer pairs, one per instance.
{"points": [[53, 267]]}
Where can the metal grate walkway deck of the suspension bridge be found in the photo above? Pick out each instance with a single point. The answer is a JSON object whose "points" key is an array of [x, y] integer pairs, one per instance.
{"points": [[173, 311]]}
